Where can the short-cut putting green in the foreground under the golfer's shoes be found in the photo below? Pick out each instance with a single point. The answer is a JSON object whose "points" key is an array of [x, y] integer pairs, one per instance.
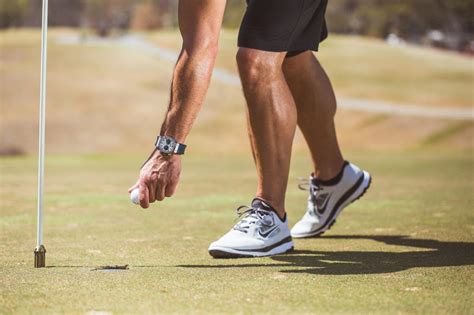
{"points": [[406, 247]]}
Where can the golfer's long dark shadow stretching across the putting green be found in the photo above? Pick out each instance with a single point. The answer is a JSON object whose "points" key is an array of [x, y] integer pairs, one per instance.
{"points": [[436, 254]]}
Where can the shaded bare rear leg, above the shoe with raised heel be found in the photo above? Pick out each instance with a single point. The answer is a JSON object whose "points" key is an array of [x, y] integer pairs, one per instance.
{"points": [[316, 107]]}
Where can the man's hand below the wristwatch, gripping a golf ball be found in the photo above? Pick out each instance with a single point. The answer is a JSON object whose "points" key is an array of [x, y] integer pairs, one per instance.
{"points": [[159, 177]]}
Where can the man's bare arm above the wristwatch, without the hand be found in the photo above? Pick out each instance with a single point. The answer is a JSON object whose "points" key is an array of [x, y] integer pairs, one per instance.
{"points": [[199, 22]]}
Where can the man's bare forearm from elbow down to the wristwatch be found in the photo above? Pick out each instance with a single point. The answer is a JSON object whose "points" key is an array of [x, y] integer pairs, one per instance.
{"points": [[190, 83]]}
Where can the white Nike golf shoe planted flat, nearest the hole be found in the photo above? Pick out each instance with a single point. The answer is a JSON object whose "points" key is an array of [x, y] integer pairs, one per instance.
{"points": [[259, 232]]}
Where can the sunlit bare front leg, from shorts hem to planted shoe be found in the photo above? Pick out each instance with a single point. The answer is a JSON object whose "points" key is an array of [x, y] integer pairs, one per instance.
{"points": [[271, 119]]}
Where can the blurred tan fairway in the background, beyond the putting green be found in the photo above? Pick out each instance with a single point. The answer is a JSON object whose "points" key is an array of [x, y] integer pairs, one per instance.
{"points": [[127, 90]]}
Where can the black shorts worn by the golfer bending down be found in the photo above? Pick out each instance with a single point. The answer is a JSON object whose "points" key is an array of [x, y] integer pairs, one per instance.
{"points": [[283, 25]]}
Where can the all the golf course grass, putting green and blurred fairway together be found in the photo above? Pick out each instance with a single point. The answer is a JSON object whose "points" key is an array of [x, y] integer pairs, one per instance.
{"points": [[406, 247]]}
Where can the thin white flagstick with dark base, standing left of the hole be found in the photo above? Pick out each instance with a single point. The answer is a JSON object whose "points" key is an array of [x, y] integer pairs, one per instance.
{"points": [[40, 251]]}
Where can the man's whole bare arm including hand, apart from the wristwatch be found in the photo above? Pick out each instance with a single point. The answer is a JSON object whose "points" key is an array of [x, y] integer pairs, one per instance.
{"points": [[199, 22]]}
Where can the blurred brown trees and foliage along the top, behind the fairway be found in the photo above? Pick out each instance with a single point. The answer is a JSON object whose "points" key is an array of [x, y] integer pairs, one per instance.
{"points": [[441, 23]]}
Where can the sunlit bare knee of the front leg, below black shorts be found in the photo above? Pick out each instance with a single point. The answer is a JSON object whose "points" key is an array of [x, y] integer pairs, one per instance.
{"points": [[255, 65]]}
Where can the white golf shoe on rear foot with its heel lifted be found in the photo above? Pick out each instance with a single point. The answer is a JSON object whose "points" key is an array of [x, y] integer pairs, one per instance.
{"points": [[327, 200]]}
